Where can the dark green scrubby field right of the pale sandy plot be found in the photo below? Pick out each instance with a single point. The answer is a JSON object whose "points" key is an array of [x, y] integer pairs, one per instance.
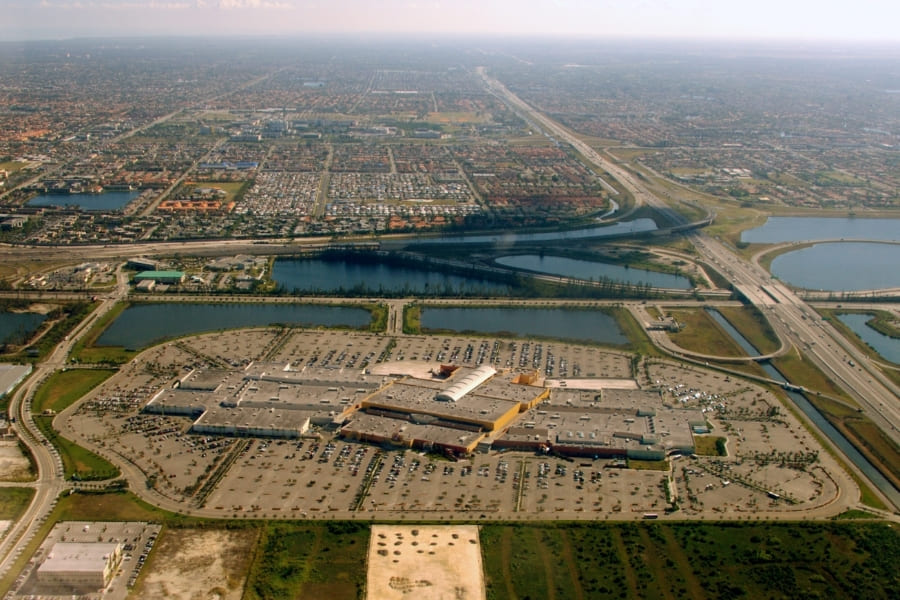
{"points": [[695, 560]]}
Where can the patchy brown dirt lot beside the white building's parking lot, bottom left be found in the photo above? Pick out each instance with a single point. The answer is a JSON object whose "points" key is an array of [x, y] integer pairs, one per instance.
{"points": [[191, 564]]}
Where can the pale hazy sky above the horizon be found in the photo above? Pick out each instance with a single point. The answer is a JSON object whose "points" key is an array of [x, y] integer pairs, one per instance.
{"points": [[863, 20]]}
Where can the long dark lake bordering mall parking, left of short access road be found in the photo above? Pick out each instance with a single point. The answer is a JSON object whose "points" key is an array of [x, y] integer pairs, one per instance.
{"points": [[142, 325]]}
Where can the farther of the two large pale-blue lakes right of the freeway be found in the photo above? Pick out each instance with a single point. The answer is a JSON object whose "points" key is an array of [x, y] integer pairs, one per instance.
{"points": [[801, 229]]}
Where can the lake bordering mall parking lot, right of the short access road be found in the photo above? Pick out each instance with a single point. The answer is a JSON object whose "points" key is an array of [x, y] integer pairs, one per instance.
{"points": [[561, 323]]}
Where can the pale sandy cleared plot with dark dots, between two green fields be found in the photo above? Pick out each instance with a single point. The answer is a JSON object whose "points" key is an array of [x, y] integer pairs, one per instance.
{"points": [[424, 562]]}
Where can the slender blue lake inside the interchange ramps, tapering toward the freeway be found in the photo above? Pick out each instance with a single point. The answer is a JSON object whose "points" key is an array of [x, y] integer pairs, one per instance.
{"points": [[591, 270]]}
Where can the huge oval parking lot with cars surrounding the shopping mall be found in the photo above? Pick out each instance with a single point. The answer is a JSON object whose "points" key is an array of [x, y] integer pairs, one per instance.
{"points": [[773, 465]]}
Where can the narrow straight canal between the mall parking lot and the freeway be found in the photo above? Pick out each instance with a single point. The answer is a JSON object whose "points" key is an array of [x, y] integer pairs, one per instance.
{"points": [[836, 437]]}
